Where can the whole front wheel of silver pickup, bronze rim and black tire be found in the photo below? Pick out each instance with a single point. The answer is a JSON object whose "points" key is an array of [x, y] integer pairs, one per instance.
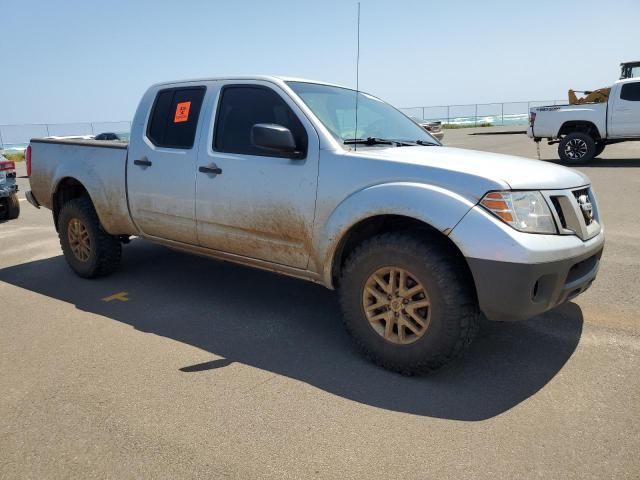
{"points": [[408, 302]]}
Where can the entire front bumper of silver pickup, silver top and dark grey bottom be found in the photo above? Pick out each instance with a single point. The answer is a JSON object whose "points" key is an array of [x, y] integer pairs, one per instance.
{"points": [[518, 275]]}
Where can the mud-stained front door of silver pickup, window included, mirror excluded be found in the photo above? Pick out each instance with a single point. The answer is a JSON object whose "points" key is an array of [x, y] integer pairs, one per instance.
{"points": [[249, 201]]}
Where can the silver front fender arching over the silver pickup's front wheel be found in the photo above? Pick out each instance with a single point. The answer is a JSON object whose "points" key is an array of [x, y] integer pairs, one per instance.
{"points": [[435, 206]]}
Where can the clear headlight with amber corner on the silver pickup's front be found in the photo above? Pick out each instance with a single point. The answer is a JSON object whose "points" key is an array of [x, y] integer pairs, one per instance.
{"points": [[524, 211]]}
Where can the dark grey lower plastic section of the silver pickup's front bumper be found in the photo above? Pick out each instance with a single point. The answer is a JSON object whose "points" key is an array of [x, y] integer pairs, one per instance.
{"points": [[517, 291]]}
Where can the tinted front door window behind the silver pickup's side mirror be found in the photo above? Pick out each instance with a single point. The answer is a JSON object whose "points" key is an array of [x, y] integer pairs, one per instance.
{"points": [[241, 107]]}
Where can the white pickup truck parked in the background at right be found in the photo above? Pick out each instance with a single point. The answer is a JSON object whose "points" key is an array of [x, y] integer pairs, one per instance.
{"points": [[583, 131]]}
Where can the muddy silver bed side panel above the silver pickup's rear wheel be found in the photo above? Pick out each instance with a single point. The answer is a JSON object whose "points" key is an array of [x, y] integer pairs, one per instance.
{"points": [[99, 165]]}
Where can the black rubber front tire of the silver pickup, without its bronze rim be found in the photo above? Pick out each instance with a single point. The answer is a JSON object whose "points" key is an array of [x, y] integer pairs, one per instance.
{"points": [[454, 316]]}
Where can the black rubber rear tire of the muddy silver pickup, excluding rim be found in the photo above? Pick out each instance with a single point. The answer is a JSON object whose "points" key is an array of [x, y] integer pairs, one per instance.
{"points": [[105, 250]]}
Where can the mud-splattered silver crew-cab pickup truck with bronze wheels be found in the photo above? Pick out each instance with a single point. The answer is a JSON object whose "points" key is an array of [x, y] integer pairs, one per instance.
{"points": [[282, 174]]}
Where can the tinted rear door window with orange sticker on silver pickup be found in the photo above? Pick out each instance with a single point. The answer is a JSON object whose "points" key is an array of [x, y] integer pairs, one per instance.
{"points": [[174, 117]]}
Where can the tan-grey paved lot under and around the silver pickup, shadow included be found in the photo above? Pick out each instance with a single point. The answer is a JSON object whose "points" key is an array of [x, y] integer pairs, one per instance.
{"points": [[217, 371]]}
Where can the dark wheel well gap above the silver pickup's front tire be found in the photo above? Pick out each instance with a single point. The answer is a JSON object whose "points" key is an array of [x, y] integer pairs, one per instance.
{"points": [[377, 225]]}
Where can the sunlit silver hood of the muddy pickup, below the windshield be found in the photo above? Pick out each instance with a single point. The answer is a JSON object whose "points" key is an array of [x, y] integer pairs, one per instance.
{"points": [[509, 171]]}
